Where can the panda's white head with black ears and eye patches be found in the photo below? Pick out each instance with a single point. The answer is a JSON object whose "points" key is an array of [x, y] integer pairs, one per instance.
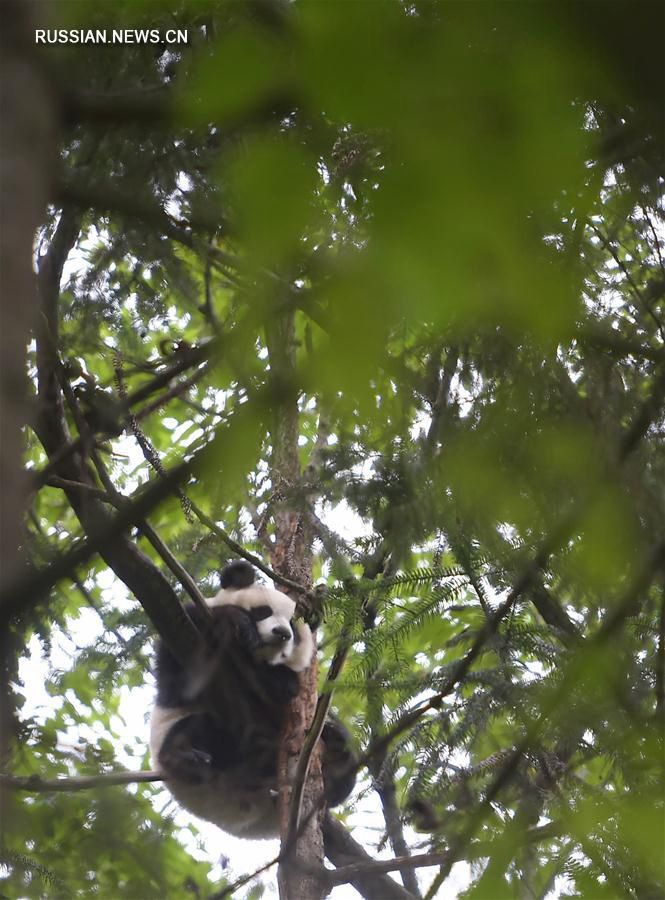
{"points": [[283, 641]]}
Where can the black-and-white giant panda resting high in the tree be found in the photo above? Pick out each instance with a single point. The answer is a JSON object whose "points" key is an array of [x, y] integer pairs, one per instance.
{"points": [[216, 724]]}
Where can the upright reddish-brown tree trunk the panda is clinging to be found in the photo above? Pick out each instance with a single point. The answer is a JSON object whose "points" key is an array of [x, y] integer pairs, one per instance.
{"points": [[292, 557]]}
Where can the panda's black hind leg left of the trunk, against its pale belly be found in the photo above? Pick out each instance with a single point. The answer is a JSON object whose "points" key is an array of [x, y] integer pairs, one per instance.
{"points": [[196, 748]]}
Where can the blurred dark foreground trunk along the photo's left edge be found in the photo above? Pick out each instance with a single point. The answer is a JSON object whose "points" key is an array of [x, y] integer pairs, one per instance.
{"points": [[27, 142]]}
